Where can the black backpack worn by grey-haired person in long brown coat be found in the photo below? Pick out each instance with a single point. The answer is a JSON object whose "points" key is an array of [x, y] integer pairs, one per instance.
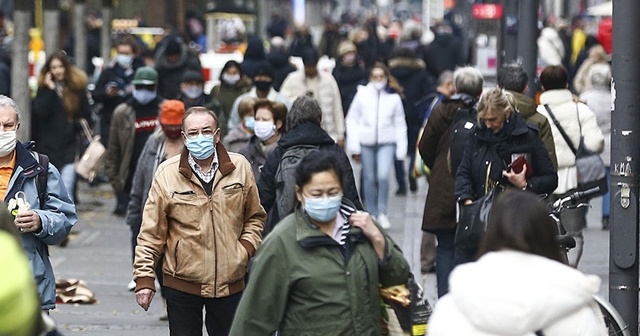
{"points": [[463, 125]]}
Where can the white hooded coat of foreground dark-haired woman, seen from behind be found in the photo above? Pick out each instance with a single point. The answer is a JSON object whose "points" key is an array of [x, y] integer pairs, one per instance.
{"points": [[511, 293]]}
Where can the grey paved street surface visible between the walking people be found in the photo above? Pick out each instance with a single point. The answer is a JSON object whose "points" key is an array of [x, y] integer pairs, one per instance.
{"points": [[100, 254]]}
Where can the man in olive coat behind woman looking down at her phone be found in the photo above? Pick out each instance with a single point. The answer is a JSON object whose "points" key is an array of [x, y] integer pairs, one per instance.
{"points": [[514, 78]]}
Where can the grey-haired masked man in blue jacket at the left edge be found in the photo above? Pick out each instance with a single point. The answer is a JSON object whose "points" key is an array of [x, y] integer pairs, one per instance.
{"points": [[39, 225]]}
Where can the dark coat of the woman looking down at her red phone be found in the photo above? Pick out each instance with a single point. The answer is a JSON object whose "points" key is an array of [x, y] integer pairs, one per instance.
{"points": [[488, 154]]}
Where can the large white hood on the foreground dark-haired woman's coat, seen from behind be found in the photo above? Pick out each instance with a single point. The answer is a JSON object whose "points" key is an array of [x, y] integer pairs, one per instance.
{"points": [[515, 293]]}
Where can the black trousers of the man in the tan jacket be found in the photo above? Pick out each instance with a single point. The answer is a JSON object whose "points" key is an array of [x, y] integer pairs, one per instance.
{"points": [[185, 313]]}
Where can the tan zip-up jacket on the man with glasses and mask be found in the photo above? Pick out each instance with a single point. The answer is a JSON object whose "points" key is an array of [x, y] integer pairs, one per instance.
{"points": [[207, 240]]}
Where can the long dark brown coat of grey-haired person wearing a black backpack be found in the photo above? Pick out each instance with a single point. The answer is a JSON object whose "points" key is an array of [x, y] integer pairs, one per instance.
{"points": [[440, 206]]}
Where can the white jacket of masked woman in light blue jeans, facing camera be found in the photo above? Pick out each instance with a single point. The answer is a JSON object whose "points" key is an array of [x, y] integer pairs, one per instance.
{"points": [[376, 117]]}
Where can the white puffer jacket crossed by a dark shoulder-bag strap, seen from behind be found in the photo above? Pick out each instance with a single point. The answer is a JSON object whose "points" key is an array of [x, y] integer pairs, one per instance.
{"points": [[571, 116]]}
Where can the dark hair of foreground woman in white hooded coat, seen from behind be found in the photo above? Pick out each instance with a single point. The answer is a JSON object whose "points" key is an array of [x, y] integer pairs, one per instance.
{"points": [[520, 222]]}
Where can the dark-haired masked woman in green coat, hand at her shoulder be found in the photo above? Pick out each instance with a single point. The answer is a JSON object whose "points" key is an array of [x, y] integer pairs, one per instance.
{"points": [[319, 272]]}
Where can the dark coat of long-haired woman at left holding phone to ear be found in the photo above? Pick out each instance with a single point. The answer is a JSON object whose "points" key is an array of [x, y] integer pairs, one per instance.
{"points": [[54, 134]]}
